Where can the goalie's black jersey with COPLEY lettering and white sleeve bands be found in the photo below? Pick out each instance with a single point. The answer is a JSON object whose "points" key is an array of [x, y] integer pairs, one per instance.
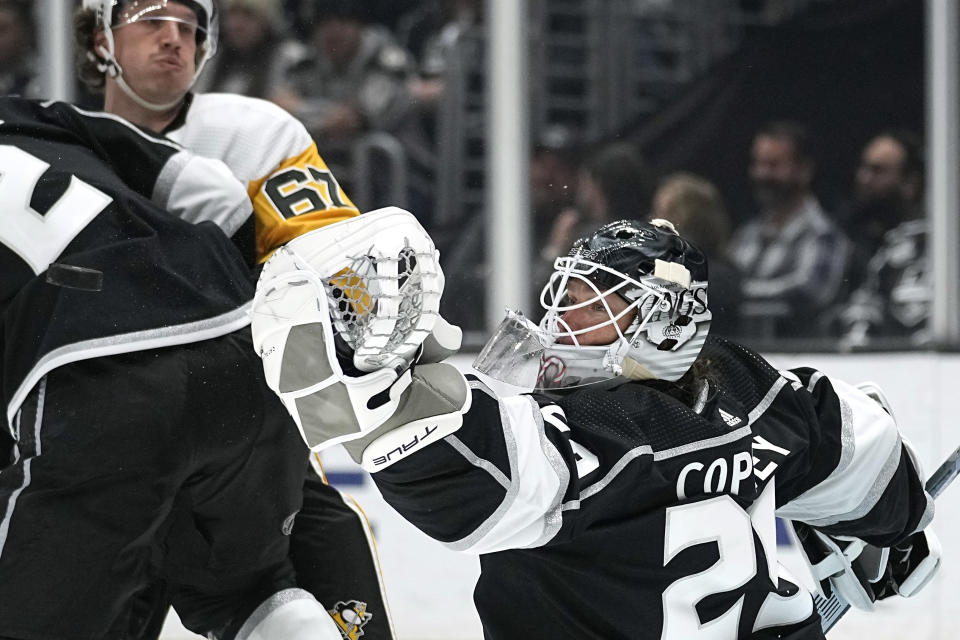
{"points": [[616, 511]]}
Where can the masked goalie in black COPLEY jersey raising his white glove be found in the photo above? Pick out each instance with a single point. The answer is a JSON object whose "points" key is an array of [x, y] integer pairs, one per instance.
{"points": [[633, 493]]}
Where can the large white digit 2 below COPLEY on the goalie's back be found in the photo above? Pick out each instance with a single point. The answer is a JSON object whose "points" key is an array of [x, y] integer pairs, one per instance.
{"points": [[730, 528]]}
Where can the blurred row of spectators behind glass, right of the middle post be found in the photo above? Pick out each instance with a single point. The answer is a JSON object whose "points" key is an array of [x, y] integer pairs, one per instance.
{"points": [[856, 275]]}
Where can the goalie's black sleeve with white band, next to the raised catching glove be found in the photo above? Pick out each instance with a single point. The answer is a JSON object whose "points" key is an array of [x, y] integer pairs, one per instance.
{"points": [[498, 483]]}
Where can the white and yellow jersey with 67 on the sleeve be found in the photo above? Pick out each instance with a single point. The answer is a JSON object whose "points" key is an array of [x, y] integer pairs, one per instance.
{"points": [[289, 184]]}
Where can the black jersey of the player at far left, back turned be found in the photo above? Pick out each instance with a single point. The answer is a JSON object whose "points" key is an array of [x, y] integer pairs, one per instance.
{"points": [[92, 262]]}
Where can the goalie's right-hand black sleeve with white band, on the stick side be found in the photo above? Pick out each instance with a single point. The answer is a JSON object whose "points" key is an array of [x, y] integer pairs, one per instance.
{"points": [[856, 475]]}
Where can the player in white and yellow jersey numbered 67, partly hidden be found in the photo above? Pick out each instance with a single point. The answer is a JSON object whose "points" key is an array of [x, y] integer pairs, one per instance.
{"points": [[145, 56]]}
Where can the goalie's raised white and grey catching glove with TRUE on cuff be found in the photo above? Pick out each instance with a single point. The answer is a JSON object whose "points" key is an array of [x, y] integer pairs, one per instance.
{"points": [[339, 316]]}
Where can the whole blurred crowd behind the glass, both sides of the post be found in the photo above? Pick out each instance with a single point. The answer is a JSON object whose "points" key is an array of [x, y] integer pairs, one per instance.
{"points": [[370, 74]]}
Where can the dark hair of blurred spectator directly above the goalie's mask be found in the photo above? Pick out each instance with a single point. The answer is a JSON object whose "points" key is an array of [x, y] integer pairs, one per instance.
{"points": [[624, 178]]}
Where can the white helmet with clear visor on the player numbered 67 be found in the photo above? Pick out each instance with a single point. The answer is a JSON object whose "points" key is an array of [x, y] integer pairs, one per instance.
{"points": [[115, 14]]}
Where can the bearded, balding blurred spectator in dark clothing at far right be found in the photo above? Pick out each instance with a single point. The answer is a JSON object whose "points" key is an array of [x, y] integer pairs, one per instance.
{"points": [[887, 190]]}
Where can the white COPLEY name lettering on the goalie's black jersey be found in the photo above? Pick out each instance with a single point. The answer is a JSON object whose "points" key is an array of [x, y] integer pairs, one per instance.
{"points": [[726, 474]]}
